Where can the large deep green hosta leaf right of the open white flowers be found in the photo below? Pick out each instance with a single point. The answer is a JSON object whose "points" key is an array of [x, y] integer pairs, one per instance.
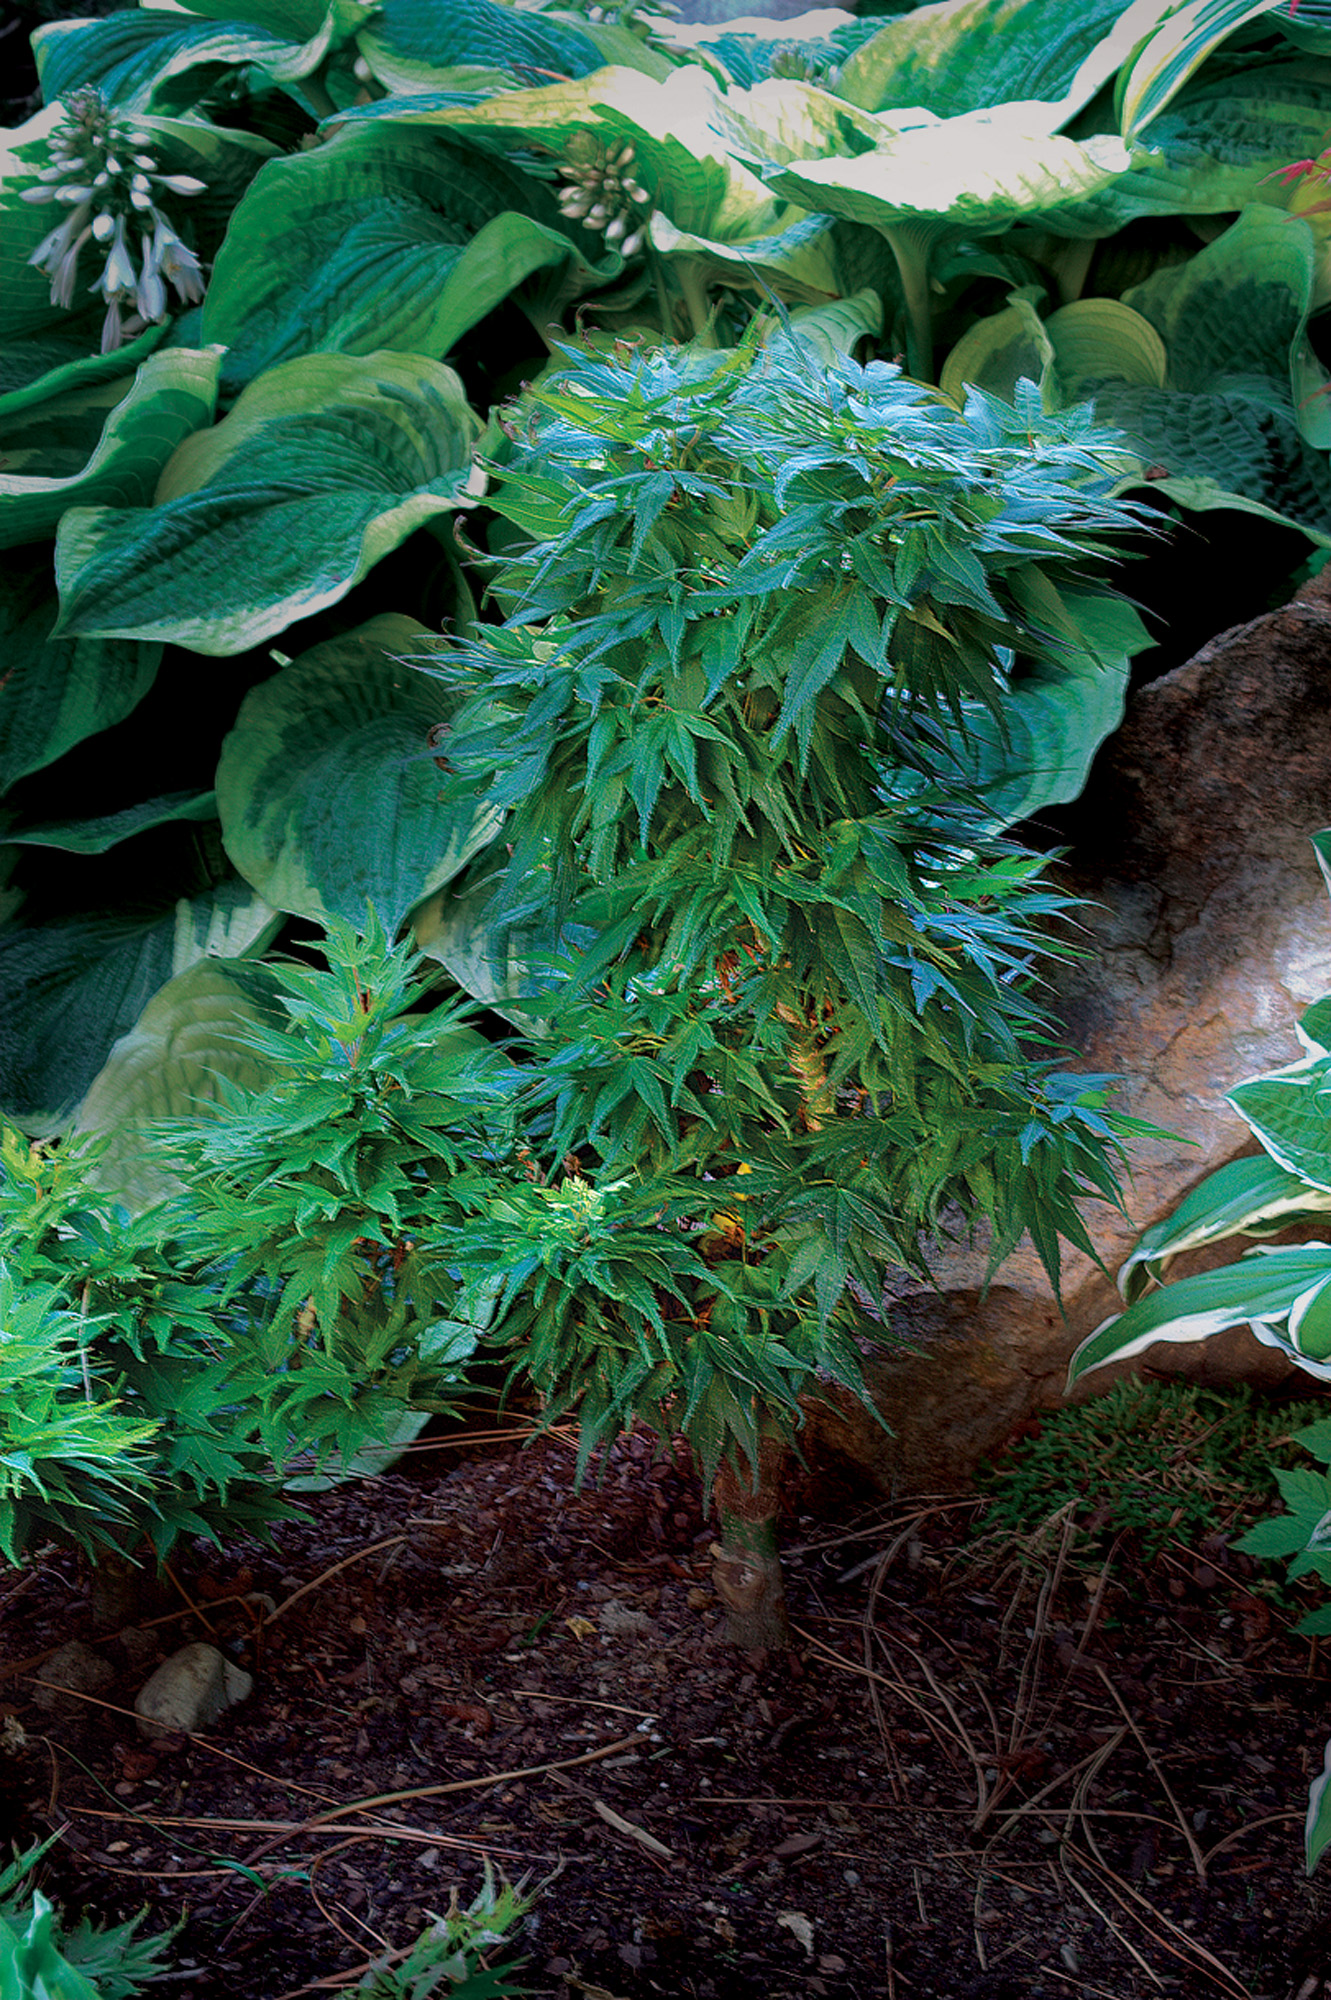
{"points": [[381, 239]]}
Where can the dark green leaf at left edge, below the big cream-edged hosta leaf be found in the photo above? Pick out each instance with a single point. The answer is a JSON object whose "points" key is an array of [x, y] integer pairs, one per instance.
{"points": [[57, 691]]}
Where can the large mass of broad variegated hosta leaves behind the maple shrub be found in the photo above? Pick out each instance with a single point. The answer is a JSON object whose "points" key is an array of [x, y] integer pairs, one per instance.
{"points": [[229, 517]]}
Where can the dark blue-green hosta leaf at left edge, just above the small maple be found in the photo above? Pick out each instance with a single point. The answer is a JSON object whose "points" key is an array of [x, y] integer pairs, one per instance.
{"points": [[101, 971]]}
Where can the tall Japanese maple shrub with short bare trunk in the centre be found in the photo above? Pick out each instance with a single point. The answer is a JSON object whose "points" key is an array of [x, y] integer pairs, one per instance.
{"points": [[786, 967]]}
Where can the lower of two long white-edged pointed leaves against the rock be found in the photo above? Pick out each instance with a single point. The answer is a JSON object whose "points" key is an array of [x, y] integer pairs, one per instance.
{"points": [[1256, 1291]]}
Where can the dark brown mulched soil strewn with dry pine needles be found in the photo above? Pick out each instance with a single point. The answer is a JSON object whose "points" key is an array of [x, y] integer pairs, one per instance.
{"points": [[976, 1777]]}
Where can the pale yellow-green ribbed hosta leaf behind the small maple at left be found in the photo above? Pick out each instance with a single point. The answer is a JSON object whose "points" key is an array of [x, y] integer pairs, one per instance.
{"points": [[177, 1061]]}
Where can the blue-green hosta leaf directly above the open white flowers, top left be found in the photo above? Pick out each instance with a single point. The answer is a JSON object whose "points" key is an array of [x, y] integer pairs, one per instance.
{"points": [[137, 57]]}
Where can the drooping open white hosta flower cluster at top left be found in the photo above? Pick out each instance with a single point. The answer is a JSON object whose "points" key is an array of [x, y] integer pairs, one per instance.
{"points": [[109, 183]]}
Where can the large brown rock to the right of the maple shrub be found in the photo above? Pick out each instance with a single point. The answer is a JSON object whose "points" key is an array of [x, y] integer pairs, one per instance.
{"points": [[1212, 933]]}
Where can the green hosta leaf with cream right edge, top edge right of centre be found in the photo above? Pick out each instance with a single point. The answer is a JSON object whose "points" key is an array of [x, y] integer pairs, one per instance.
{"points": [[978, 53]]}
